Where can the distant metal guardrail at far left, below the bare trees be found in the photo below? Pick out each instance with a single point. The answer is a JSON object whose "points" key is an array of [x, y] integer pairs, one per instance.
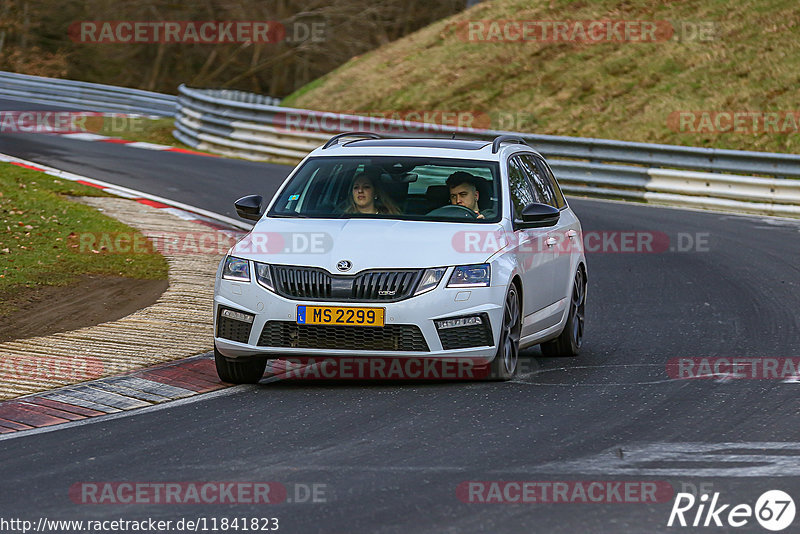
{"points": [[84, 96]]}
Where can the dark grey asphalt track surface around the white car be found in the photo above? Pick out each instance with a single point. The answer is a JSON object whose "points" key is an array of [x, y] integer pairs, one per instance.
{"points": [[391, 454]]}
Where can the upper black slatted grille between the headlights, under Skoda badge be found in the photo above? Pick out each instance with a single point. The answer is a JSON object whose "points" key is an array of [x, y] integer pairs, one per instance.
{"points": [[309, 283]]}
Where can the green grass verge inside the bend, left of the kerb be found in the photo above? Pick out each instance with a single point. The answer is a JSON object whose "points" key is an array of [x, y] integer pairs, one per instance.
{"points": [[38, 230]]}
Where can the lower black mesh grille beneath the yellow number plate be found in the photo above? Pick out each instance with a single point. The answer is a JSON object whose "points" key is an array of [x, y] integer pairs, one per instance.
{"points": [[405, 338]]}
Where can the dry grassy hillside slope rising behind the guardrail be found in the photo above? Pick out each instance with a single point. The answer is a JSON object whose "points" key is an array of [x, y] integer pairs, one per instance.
{"points": [[720, 57]]}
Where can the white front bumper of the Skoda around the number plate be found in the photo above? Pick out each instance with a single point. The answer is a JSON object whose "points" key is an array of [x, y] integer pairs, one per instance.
{"points": [[413, 314]]}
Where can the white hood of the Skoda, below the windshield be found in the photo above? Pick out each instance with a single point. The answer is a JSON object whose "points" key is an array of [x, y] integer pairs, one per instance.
{"points": [[367, 243]]}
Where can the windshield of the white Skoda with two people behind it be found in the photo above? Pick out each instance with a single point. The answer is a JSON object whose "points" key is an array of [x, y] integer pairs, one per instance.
{"points": [[409, 188]]}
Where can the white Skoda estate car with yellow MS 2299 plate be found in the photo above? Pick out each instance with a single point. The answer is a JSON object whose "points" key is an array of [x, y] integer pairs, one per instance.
{"points": [[404, 248]]}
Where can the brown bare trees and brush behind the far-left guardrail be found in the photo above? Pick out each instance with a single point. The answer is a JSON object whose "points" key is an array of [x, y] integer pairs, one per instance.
{"points": [[320, 36]]}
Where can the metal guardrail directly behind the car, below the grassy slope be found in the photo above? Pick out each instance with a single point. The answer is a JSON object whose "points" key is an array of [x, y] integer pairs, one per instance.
{"points": [[239, 124]]}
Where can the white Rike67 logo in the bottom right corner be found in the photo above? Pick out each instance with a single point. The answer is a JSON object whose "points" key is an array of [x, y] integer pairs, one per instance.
{"points": [[774, 510]]}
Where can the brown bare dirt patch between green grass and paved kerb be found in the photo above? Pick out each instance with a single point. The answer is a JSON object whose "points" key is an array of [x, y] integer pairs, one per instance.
{"points": [[91, 300]]}
